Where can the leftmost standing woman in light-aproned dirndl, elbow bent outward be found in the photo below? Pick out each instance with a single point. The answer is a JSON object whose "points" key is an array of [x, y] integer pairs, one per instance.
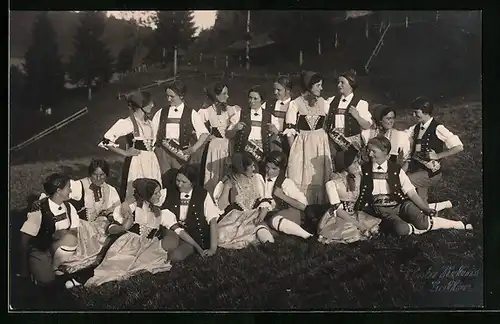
{"points": [[140, 159]]}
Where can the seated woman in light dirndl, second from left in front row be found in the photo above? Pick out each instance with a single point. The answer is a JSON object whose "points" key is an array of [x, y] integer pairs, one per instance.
{"points": [[94, 201]]}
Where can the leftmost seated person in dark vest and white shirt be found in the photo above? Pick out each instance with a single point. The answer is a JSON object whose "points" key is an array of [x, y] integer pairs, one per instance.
{"points": [[50, 234]]}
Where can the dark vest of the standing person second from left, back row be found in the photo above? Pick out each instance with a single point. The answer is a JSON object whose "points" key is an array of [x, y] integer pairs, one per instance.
{"points": [[186, 128]]}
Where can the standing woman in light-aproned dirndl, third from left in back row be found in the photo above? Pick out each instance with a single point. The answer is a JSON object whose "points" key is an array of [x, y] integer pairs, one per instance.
{"points": [[218, 118]]}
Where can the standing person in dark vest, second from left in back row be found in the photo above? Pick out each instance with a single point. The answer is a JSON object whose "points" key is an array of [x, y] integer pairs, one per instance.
{"points": [[181, 127]]}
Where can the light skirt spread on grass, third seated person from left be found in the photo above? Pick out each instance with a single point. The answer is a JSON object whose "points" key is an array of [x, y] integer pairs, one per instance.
{"points": [[130, 255]]}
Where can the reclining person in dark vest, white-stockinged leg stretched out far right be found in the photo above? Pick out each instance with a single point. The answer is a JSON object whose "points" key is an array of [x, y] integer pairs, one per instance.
{"points": [[386, 188]]}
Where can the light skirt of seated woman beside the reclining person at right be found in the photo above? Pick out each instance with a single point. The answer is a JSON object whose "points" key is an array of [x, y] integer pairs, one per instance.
{"points": [[335, 229]]}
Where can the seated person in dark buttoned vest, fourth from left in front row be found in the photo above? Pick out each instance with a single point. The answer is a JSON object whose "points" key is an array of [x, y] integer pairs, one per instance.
{"points": [[188, 214]]}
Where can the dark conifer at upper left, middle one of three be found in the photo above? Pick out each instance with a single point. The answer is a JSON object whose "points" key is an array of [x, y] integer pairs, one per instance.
{"points": [[92, 61]]}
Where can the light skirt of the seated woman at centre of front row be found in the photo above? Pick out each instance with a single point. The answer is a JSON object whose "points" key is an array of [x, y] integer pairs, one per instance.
{"points": [[237, 229]]}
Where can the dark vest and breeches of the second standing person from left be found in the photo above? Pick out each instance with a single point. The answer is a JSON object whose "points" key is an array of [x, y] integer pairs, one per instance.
{"points": [[186, 138]]}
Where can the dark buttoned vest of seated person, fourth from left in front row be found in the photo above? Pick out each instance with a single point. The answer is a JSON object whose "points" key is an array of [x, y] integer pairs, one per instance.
{"points": [[195, 223]]}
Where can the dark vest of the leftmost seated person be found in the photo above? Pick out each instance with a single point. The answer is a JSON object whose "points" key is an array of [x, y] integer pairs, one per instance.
{"points": [[44, 240]]}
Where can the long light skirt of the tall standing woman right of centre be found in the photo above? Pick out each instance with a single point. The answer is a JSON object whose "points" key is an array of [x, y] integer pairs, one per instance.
{"points": [[310, 164]]}
